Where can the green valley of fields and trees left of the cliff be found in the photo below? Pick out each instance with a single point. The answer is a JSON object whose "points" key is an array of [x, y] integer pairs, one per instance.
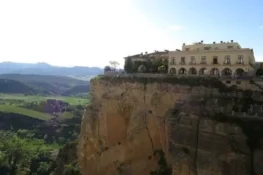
{"points": [[38, 132]]}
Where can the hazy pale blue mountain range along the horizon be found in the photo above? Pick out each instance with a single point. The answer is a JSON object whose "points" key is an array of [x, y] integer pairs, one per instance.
{"points": [[46, 69]]}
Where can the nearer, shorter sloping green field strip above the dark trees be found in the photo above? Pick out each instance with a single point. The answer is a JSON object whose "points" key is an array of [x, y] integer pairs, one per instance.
{"points": [[23, 111]]}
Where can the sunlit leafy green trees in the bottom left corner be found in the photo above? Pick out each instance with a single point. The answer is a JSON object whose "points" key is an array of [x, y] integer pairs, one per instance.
{"points": [[24, 155]]}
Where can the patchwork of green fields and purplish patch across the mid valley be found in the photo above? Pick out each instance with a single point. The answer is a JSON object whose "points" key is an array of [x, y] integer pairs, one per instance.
{"points": [[38, 107]]}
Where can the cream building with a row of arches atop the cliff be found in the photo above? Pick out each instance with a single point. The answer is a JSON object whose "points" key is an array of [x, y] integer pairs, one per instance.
{"points": [[216, 59]]}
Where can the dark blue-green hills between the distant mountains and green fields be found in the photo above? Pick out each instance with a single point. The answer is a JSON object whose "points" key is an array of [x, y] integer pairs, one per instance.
{"points": [[42, 84]]}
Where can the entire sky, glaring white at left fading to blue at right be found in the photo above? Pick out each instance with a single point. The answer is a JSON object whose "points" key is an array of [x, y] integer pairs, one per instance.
{"points": [[91, 33]]}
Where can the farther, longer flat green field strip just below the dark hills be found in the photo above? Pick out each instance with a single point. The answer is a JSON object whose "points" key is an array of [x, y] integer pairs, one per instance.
{"points": [[29, 98]]}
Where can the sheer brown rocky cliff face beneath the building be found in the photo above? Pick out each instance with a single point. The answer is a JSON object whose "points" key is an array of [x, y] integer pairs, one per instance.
{"points": [[171, 127]]}
